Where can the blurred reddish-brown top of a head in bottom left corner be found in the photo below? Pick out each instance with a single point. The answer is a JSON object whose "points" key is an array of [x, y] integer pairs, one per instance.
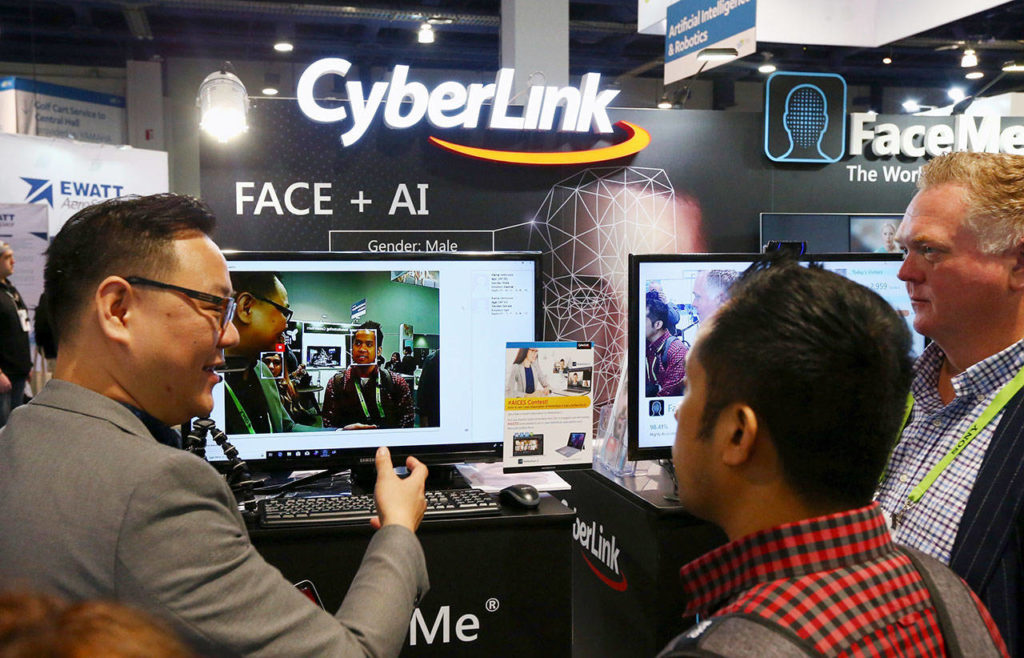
{"points": [[35, 626]]}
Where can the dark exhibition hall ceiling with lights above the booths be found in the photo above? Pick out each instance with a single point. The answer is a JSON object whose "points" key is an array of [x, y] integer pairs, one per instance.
{"points": [[603, 38]]}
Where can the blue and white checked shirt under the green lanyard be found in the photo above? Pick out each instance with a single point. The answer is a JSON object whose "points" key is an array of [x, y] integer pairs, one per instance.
{"points": [[932, 430]]}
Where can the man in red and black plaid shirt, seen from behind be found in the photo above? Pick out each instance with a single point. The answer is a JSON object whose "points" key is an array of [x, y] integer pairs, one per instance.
{"points": [[783, 449]]}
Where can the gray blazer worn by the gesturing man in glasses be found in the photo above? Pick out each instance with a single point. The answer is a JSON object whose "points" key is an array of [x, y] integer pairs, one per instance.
{"points": [[92, 506]]}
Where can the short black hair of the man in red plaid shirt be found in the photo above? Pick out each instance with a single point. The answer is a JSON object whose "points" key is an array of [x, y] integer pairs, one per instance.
{"points": [[826, 366]]}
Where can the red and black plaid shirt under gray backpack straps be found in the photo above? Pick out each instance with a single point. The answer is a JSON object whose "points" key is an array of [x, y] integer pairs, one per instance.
{"points": [[837, 581]]}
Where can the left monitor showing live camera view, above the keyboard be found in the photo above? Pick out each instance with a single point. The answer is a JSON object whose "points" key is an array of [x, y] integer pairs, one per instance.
{"points": [[310, 387]]}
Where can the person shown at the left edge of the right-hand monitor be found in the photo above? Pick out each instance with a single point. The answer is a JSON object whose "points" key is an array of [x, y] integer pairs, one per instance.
{"points": [[666, 354]]}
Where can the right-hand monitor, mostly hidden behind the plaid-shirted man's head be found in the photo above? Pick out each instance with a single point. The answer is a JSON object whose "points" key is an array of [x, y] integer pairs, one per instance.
{"points": [[693, 285]]}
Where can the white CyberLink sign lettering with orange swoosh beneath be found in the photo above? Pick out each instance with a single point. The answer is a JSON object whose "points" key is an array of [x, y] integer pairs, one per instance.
{"points": [[452, 105]]}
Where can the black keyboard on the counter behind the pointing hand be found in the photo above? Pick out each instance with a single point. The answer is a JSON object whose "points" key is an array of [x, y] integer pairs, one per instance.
{"points": [[359, 509]]}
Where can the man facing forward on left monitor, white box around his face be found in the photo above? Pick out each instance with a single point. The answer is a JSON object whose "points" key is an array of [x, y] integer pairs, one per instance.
{"points": [[364, 397]]}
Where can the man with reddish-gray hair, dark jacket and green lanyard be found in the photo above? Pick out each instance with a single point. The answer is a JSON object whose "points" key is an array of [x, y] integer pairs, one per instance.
{"points": [[953, 487]]}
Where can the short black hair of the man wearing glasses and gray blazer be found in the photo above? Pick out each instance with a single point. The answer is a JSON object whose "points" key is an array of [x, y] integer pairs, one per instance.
{"points": [[126, 237]]}
